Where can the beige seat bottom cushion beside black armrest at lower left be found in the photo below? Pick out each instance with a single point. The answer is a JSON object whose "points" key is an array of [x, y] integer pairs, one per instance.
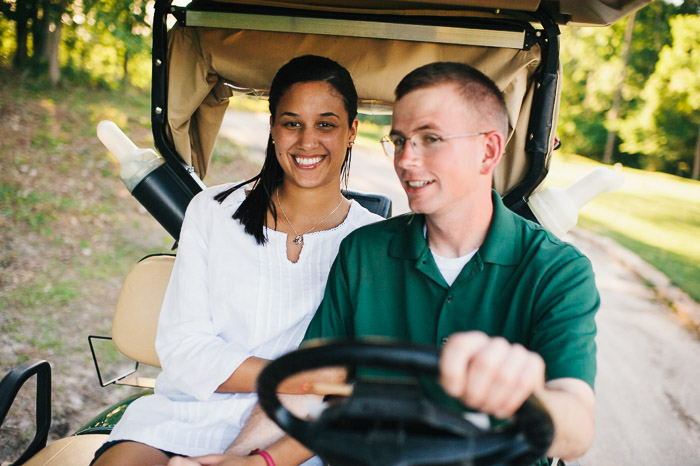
{"points": [[77, 450]]}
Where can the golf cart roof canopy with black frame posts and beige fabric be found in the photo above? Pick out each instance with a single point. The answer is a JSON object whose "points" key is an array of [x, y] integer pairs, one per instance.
{"points": [[219, 49]]}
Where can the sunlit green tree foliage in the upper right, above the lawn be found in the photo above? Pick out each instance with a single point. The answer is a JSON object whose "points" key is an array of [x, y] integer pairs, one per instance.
{"points": [[658, 121]]}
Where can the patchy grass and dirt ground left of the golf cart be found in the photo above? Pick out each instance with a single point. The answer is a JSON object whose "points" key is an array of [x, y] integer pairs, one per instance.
{"points": [[64, 214]]}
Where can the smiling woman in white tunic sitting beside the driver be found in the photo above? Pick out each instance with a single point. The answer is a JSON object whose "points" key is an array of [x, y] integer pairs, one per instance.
{"points": [[247, 280]]}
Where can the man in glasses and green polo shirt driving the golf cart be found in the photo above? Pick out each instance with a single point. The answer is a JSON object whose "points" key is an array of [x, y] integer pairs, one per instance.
{"points": [[511, 306]]}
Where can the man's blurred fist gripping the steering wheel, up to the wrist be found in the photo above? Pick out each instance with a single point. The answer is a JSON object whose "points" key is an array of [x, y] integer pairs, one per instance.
{"points": [[490, 374]]}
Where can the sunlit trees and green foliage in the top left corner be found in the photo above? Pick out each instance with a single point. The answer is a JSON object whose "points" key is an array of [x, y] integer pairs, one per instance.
{"points": [[103, 43]]}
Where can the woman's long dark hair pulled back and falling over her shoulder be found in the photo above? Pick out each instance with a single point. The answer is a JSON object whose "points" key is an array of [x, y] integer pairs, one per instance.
{"points": [[252, 213]]}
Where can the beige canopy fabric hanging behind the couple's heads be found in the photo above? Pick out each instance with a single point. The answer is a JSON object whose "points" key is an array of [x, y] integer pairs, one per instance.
{"points": [[202, 59]]}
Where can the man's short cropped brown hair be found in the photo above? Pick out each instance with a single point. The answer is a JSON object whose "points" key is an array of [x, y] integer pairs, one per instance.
{"points": [[478, 90]]}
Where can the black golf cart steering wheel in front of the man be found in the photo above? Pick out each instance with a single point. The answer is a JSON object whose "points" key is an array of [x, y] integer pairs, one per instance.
{"points": [[390, 423]]}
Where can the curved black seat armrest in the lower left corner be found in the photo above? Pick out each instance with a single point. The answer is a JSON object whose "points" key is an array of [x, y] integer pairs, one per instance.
{"points": [[10, 387]]}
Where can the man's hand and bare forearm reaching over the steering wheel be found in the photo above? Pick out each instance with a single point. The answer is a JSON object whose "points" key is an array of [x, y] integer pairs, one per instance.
{"points": [[496, 377]]}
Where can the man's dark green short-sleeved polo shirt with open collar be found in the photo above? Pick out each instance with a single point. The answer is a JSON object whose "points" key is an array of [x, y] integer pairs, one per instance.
{"points": [[523, 284]]}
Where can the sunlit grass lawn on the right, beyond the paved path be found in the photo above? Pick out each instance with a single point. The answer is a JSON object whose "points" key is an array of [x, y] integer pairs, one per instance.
{"points": [[655, 215]]}
